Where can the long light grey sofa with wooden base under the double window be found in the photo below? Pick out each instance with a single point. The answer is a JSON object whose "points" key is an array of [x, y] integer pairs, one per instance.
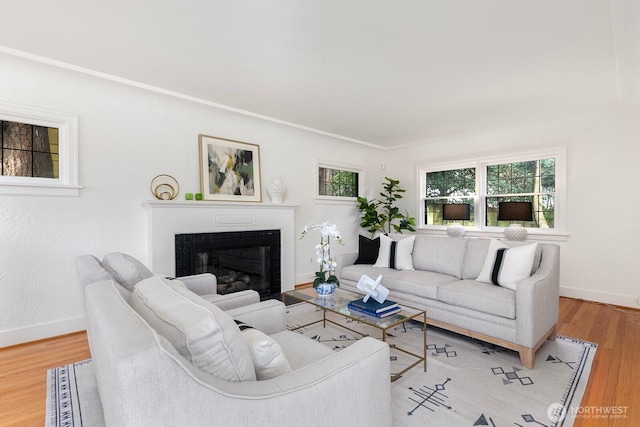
{"points": [[443, 281]]}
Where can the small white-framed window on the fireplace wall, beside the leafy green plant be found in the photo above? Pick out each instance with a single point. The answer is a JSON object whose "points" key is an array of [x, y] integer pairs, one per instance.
{"points": [[338, 182]]}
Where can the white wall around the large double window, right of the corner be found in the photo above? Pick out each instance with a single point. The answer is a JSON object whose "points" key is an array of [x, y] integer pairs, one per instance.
{"points": [[599, 258]]}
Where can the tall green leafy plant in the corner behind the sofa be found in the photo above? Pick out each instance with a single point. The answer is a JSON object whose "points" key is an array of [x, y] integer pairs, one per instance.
{"points": [[378, 214]]}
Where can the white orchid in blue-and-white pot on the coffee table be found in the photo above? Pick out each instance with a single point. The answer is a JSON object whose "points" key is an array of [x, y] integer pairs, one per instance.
{"points": [[325, 280]]}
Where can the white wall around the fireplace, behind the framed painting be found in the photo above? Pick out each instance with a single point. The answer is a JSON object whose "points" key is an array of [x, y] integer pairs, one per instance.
{"points": [[126, 137]]}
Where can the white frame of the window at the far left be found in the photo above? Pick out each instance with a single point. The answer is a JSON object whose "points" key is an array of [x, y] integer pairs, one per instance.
{"points": [[67, 124]]}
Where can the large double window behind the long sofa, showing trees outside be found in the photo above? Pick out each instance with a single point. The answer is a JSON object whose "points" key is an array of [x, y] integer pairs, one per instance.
{"points": [[535, 177]]}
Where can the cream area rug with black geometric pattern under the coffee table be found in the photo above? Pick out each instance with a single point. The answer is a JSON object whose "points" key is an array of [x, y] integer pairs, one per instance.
{"points": [[467, 383]]}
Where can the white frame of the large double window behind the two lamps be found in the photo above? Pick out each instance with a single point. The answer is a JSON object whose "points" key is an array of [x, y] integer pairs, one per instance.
{"points": [[480, 163]]}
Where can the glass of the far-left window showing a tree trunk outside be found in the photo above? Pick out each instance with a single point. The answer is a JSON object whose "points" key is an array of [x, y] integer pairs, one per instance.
{"points": [[29, 150]]}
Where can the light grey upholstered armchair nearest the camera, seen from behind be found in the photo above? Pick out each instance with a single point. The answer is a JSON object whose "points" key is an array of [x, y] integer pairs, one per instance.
{"points": [[143, 379]]}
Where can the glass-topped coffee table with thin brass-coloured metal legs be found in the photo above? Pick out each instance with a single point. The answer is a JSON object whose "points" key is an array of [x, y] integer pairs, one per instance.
{"points": [[338, 304]]}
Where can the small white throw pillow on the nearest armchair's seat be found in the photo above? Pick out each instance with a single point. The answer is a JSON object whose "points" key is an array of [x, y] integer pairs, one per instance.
{"points": [[268, 358]]}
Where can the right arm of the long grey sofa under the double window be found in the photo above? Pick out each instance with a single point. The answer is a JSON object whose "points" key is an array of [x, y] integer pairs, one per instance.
{"points": [[537, 299]]}
